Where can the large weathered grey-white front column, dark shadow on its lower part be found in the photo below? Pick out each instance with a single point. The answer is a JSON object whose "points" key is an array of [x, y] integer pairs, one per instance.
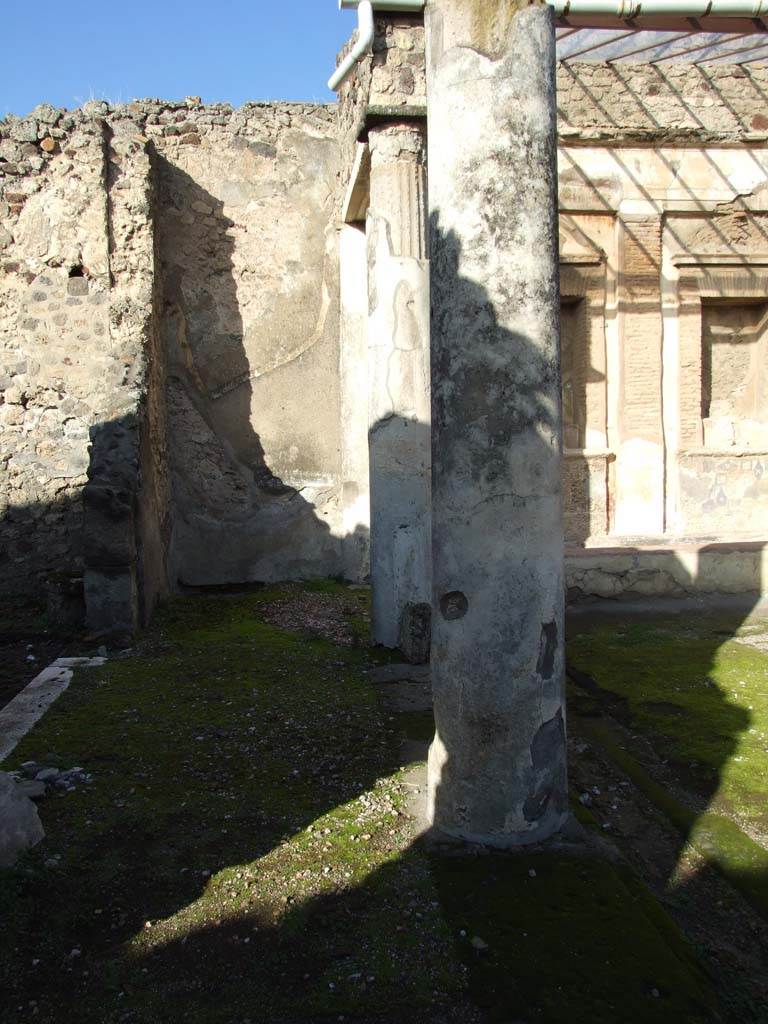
{"points": [[497, 765]]}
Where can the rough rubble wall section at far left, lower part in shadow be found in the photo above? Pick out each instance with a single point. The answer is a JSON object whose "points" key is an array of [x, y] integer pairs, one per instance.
{"points": [[76, 298]]}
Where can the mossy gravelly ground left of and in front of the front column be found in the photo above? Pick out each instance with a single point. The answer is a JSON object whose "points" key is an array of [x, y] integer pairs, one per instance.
{"points": [[243, 856]]}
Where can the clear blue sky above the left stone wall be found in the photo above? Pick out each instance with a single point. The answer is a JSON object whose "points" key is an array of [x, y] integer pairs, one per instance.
{"points": [[233, 51]]}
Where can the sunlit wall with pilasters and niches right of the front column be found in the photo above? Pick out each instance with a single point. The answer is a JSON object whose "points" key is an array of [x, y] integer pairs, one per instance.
{"points": [[674, 158]]}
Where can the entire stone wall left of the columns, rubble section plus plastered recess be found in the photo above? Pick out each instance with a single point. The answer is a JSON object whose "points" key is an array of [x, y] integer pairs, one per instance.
{"points": [[168, 302]]}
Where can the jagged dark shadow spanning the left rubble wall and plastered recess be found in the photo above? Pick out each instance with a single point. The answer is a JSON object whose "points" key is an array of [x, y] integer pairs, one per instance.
{"points": [[231, 519]]}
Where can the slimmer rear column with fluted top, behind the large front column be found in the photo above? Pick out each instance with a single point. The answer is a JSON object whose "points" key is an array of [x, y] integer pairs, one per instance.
{"points": [[399, 377]]}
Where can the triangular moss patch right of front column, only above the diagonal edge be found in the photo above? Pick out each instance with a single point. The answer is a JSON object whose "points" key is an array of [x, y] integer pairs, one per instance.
{"points": [[700, 694]]}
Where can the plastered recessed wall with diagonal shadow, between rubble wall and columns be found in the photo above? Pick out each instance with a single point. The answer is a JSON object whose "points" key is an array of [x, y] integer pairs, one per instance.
{"points": [[248, 260]]}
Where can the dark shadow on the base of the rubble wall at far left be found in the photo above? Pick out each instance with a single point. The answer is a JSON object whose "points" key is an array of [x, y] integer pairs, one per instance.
{"points": [[96, 558]]}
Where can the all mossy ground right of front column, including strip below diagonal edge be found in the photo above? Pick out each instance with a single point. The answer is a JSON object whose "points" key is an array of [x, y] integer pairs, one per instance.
{"points": [[700, 698]]}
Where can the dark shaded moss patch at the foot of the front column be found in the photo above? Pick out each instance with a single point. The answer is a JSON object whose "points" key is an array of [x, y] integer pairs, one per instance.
{"points": [[578, 941]]}
